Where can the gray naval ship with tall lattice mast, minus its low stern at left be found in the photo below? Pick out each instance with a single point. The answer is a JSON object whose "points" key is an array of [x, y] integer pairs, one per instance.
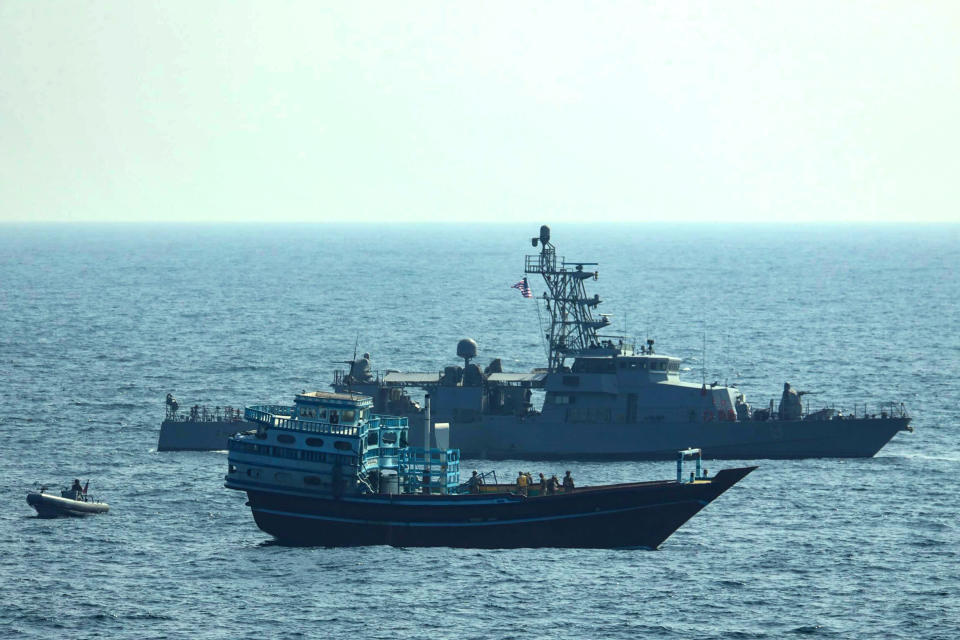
{"points": [[605, 399]]}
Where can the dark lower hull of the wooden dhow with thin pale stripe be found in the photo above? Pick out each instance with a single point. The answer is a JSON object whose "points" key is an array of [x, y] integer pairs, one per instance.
{"points": [[639, 515]]}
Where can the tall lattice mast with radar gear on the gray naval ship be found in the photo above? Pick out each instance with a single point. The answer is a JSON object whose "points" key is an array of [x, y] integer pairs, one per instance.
{"points": [[573, 331]]}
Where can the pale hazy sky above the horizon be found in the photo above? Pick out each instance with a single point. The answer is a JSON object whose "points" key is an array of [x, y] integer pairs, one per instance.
{"points": [[479, 111]]}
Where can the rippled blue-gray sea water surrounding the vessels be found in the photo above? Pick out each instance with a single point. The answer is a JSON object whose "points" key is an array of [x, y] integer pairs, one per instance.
{"points": [[98, 323]]}
